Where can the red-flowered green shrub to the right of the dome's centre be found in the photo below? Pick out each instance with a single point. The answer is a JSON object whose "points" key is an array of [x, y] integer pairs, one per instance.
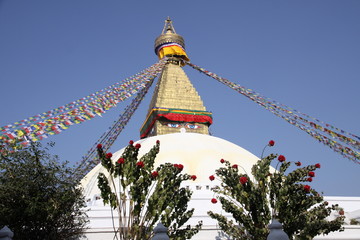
{"points": [[254, 201]]}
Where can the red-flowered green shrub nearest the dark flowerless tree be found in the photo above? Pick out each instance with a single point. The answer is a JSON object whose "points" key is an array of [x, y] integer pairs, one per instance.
{"points": [[144, 196]]}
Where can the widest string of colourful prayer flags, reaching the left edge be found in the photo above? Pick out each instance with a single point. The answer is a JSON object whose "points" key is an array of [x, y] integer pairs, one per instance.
{"points": [[59, 119]]}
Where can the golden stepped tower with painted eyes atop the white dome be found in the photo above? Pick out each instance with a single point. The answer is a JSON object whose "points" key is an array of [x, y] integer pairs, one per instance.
{"points": [[176, 105]]}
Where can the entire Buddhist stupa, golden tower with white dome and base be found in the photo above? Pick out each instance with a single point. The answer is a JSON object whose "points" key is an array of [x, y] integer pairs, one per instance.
{"points": [[177, 118]]}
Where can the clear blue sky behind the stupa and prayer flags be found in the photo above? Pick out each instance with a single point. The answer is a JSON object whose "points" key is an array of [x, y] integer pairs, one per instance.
{"points": [[304, 54]]}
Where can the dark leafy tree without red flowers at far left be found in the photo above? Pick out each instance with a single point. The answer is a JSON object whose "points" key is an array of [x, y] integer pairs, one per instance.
{"points": [[39, 198]]}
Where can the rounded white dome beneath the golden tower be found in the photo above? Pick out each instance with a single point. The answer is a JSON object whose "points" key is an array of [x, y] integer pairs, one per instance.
{"points": [[200, 154]]}
